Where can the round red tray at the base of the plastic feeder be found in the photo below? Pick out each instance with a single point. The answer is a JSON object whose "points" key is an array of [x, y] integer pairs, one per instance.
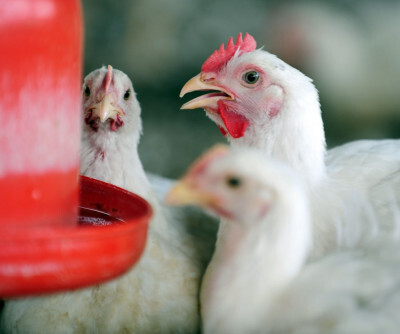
{"points": [[108, 239]]}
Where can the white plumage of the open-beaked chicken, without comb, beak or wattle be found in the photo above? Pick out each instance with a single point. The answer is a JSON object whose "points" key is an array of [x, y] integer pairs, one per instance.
{"points": [[342, 180]]}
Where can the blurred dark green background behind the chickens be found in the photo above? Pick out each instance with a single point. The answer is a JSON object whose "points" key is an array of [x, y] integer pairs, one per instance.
{"points": [[350, 48]]}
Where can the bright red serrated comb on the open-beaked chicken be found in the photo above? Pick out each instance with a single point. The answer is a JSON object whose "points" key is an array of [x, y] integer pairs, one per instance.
{"points": [[222, 56]]}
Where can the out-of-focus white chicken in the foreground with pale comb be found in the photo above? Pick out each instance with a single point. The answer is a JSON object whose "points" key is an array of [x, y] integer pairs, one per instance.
{"points": [[258, 280]]}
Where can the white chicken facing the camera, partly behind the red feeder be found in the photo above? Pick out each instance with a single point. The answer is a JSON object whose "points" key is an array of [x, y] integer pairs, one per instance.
{"points": [[160, 294]]}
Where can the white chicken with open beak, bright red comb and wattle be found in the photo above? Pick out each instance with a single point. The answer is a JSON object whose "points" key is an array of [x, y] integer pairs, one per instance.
{"points": [[260, 101]]}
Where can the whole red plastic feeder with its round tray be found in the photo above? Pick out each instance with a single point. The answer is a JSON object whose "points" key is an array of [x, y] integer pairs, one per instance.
{"points": [[42, 246]]}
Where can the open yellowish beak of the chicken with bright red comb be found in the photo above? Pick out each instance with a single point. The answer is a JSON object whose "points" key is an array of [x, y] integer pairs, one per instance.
{"points": [[208, 100]]}
